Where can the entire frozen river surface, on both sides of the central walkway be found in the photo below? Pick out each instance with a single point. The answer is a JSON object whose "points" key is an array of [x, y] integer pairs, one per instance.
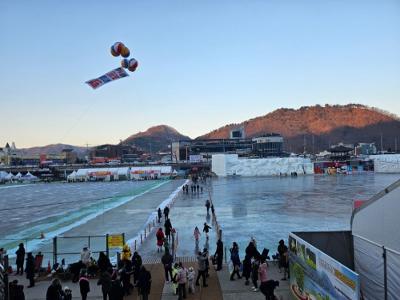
{"points": [[267, 208]]}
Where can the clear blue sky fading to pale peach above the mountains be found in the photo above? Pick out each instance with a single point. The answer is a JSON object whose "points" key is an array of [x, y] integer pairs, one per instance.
{"points": [[203, 64]]}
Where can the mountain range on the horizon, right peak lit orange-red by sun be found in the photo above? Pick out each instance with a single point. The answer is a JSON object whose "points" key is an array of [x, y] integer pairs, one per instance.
{"points": [[313, 128]]}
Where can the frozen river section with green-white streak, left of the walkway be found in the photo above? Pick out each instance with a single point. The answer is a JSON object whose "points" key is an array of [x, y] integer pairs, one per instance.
{"points": [[77, 209]]}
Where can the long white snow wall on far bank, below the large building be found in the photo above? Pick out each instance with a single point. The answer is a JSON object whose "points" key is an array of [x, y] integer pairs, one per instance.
{"points": [[225, 165]]}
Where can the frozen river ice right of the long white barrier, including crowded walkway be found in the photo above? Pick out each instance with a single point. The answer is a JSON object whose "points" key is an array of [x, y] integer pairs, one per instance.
{"points": [[268, 208]]}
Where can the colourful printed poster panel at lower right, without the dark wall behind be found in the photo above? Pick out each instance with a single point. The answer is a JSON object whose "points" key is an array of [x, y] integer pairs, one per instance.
{"points": [[317, 276]]}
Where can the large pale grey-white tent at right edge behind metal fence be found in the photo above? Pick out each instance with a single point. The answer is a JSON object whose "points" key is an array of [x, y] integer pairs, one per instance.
{"points": [[376, 238]]}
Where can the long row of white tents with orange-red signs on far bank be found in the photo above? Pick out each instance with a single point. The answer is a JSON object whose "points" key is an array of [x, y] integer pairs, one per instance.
{"points": [[123, 173]]}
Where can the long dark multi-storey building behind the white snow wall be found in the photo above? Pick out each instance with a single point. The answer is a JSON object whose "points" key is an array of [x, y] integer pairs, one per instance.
{"points": [[202, 150]]}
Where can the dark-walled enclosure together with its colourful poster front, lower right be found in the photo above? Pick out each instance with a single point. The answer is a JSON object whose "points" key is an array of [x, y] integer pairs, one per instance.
{"points": [[321, 266]]}
